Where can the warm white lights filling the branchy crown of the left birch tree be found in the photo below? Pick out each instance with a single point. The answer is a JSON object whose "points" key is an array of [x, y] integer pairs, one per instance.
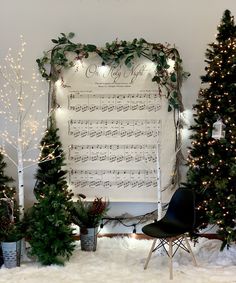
{"points": [[18, 99]]}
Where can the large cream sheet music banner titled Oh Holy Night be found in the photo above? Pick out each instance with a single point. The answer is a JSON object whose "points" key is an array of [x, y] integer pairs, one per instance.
{"points": [[111, 120]]}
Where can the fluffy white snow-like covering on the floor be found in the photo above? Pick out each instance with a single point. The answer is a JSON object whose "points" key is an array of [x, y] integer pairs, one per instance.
{"points": [[122, 260]]}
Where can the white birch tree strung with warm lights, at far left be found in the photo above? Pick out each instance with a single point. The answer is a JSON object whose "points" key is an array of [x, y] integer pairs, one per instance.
{"points": [[23, 122]]}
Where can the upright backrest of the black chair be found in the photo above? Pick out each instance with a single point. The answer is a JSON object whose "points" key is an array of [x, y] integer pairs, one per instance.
{"points": [[181, 209]]}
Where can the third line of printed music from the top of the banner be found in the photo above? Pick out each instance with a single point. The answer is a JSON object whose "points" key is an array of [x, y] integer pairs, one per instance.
{"points": [[113, 153]]}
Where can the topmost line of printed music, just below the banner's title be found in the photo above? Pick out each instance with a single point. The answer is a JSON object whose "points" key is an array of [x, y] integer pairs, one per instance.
{"points": [[82, 102]]}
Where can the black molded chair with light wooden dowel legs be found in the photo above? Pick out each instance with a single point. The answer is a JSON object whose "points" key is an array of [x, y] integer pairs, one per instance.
{"points": [[172, 228]]}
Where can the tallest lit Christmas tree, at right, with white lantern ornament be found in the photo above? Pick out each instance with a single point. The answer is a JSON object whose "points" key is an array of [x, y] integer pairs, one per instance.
{"points": [[211, 160]]}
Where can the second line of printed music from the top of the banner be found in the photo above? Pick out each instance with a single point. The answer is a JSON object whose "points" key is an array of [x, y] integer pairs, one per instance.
{"points": [[114, 128]]}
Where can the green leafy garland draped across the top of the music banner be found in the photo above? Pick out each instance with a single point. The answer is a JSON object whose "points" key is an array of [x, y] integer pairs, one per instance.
{"points": [[114, 53]]}
